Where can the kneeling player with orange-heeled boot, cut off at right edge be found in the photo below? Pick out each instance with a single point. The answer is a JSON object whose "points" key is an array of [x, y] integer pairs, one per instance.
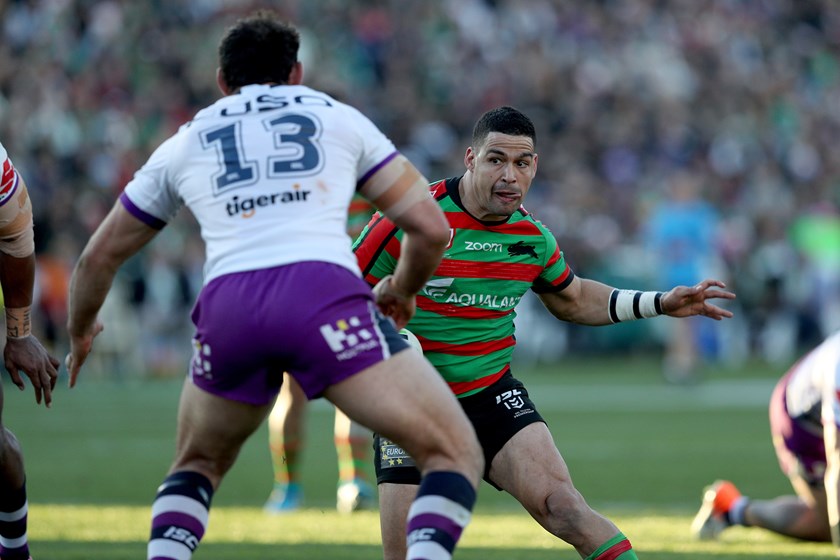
{"points": [[804, 424]]}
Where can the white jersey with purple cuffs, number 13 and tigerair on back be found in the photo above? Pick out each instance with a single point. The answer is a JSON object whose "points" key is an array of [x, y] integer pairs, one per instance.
{"points": [[268, 173]]}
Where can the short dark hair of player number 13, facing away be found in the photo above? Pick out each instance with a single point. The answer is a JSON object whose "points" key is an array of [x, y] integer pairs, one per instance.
{"points": [[258, 49]]}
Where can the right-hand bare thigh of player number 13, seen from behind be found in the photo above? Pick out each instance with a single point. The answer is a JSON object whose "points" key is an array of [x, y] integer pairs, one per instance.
{"points": [[405, 399]]}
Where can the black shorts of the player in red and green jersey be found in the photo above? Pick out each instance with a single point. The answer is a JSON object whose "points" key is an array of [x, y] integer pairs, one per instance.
{"points": [[497, 413]]}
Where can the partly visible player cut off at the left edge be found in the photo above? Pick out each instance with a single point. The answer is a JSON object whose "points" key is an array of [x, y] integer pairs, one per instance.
{"points": [[23, 352]]}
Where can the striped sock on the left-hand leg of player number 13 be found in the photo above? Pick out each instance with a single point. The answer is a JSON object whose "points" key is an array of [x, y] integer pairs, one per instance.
{"points": [[179, 516]]}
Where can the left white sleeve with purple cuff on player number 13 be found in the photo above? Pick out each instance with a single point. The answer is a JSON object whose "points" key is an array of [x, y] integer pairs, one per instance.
{"points": [[150, 196]]}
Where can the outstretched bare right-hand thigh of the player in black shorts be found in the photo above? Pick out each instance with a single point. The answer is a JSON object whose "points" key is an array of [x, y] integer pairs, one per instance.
{"points": [[530, 467]]}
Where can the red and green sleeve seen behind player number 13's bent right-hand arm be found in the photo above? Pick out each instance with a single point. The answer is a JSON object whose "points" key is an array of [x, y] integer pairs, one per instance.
{"points": [[377, 249]]}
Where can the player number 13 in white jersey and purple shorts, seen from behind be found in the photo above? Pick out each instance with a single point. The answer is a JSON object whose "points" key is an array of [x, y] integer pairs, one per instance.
{"points": [[268, 171]]}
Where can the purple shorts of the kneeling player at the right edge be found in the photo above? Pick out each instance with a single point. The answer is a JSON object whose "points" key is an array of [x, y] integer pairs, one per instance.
{"points": [[799, 450]]}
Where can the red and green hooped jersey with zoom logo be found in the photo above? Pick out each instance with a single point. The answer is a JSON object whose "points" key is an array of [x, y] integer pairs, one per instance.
{"points": [[465, 312]]}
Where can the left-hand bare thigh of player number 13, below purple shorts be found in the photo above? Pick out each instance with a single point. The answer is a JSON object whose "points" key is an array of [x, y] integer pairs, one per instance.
{"points": [[212, 429]]}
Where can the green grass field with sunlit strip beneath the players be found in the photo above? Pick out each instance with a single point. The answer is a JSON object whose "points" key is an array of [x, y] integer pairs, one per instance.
{"points": [[639, 450]]}
